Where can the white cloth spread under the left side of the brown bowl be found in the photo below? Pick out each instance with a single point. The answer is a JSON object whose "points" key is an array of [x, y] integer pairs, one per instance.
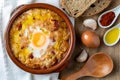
{"points": [[8, 70]]}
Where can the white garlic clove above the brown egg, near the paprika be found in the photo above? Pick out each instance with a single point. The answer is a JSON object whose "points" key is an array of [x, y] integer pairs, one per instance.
{"points": [[91, 23]]}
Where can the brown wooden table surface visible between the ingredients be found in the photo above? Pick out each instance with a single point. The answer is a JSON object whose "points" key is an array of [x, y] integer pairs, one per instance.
{"points": [[114, 51]]}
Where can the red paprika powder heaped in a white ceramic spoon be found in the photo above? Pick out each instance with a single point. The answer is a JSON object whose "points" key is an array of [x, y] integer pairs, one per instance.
{"points": [[107, 18]]}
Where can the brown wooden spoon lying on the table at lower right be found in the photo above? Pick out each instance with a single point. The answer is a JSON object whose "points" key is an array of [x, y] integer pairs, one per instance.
{"points": [[98, 65]]}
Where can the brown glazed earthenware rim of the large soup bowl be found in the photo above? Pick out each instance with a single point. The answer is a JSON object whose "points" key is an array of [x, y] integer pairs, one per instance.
{"points": [[18, 11]]}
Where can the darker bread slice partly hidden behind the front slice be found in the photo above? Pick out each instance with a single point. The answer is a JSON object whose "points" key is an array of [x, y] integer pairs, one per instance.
{"points": [[97, 7]]}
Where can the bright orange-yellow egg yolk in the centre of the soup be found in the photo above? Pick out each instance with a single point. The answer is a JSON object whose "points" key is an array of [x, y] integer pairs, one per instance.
{"points": [[39, 39]]}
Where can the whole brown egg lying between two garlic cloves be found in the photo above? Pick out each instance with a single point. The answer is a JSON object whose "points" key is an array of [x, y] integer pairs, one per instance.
{"points": [[90, 39]]}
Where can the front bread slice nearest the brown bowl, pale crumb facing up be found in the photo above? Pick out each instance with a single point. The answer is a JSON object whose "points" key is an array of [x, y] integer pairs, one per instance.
{"points": [[76, 8]]}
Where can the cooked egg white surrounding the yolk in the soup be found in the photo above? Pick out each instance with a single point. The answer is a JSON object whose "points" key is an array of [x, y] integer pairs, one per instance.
{"points": [[39, 51]]}
